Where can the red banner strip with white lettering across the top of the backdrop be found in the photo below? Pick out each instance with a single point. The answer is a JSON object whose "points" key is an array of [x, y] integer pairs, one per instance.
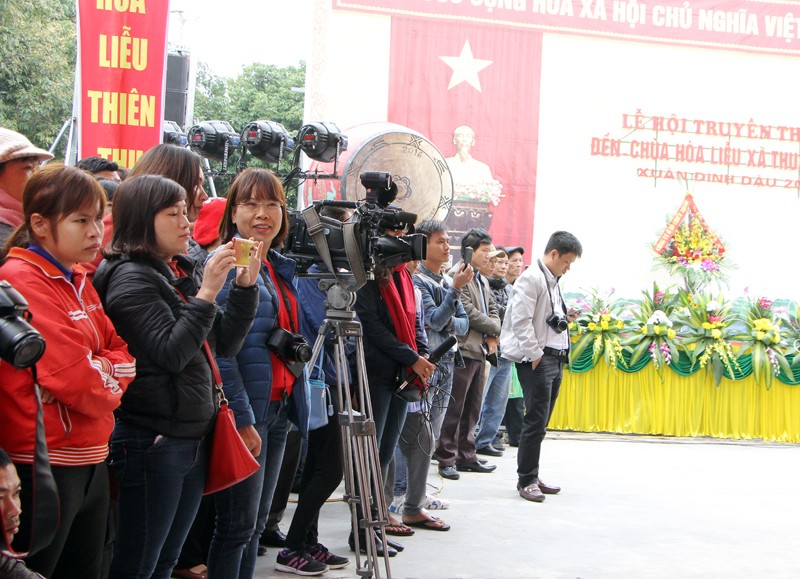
{"points": [[771, 26]]}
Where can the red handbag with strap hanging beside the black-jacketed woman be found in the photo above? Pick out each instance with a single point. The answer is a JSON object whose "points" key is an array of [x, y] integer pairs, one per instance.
{"points": [[230, 461]]}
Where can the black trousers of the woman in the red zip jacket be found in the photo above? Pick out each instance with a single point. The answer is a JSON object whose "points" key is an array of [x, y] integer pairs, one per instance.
{"points": [[77, 548]]}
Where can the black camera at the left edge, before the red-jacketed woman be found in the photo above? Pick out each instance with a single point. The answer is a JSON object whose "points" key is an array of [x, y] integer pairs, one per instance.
{"points": [[20, 344]]}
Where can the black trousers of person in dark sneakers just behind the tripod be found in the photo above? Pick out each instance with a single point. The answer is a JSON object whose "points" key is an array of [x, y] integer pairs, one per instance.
{"points": [[322, 474]]}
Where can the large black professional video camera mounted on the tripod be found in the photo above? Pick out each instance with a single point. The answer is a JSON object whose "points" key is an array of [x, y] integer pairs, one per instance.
{"points": [[360, 244]]}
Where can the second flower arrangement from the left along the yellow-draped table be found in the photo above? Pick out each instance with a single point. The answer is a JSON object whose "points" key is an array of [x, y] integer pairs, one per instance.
{"points": [[655, 335]]}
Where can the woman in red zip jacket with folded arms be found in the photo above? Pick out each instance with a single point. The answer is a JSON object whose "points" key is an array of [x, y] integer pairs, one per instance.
{"points": [[85, 369]]}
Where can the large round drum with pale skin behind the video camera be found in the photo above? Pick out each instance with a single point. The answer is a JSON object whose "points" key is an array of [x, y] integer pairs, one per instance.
{"points": [[424, 182]]}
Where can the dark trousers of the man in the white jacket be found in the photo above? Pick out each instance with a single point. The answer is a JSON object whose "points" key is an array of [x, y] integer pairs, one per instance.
{"points": [[540, 388]]}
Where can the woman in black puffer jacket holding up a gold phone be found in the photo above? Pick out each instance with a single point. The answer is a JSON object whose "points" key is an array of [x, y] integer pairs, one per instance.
{"points": [[154, 294]]}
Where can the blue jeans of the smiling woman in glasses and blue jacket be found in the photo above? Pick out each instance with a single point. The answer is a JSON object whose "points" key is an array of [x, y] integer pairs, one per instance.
{"points": [[243, 509]]}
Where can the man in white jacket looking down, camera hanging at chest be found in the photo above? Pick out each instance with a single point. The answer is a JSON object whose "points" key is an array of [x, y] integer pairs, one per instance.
{"points": [[536, 337]]}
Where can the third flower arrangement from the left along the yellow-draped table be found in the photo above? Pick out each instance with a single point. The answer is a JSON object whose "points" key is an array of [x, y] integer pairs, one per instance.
{"points": [[708, 332]]}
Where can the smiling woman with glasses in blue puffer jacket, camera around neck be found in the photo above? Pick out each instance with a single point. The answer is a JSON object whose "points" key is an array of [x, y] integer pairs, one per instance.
{"points": [[265, 384]]}
